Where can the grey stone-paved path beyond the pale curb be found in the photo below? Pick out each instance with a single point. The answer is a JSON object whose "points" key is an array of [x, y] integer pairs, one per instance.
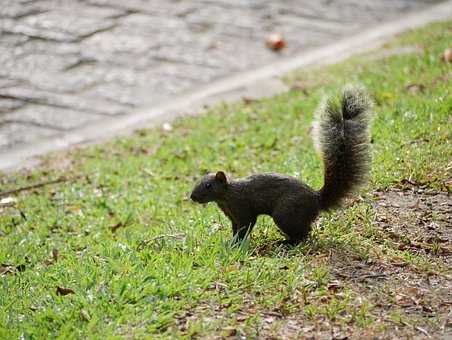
{"points": [[66, 64]]}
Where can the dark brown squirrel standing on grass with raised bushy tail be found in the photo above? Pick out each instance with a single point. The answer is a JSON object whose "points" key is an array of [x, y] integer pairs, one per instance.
{"points": [[341, 133]]}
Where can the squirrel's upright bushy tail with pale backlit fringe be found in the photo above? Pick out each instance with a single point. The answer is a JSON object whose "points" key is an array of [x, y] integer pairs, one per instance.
{"points": [[341, 132]]}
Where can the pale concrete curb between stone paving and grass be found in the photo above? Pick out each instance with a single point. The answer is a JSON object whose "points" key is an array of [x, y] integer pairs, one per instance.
{"points": [[260, 82]]}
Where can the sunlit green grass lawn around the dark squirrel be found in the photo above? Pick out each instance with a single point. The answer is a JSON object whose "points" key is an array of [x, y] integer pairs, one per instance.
{"points": [[143, 260]]}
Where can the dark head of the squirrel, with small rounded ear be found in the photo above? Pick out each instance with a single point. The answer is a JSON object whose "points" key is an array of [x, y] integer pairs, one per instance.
{"points": [[211, 187]]}
